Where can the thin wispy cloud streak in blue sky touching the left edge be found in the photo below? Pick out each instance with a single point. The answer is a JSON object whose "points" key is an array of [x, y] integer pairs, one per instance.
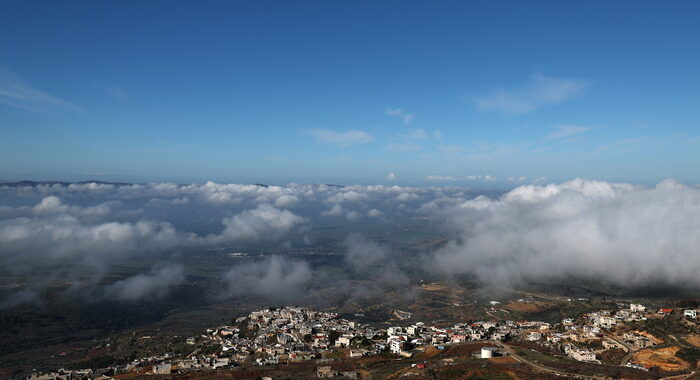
{"points": [[16, 93]]}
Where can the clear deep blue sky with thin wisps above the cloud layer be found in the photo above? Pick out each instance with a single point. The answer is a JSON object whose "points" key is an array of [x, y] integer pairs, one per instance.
{"points": [[480, 93]]}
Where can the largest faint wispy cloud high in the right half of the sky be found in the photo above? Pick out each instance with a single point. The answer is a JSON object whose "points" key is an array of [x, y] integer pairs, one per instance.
{"points": [[540, 92]]}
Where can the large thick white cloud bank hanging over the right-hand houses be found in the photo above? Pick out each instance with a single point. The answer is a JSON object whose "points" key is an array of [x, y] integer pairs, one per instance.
{"points": [[616, 233]]}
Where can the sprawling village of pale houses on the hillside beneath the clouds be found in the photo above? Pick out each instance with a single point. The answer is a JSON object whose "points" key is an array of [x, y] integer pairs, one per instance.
{"points": [[293, 334]]}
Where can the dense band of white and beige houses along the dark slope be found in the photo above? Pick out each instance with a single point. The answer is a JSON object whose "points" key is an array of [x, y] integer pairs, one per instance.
{"points": [[289, 334]]}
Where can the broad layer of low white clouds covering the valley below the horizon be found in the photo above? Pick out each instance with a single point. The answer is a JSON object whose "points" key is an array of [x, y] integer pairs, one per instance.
{"points": [[621, 234]]}
